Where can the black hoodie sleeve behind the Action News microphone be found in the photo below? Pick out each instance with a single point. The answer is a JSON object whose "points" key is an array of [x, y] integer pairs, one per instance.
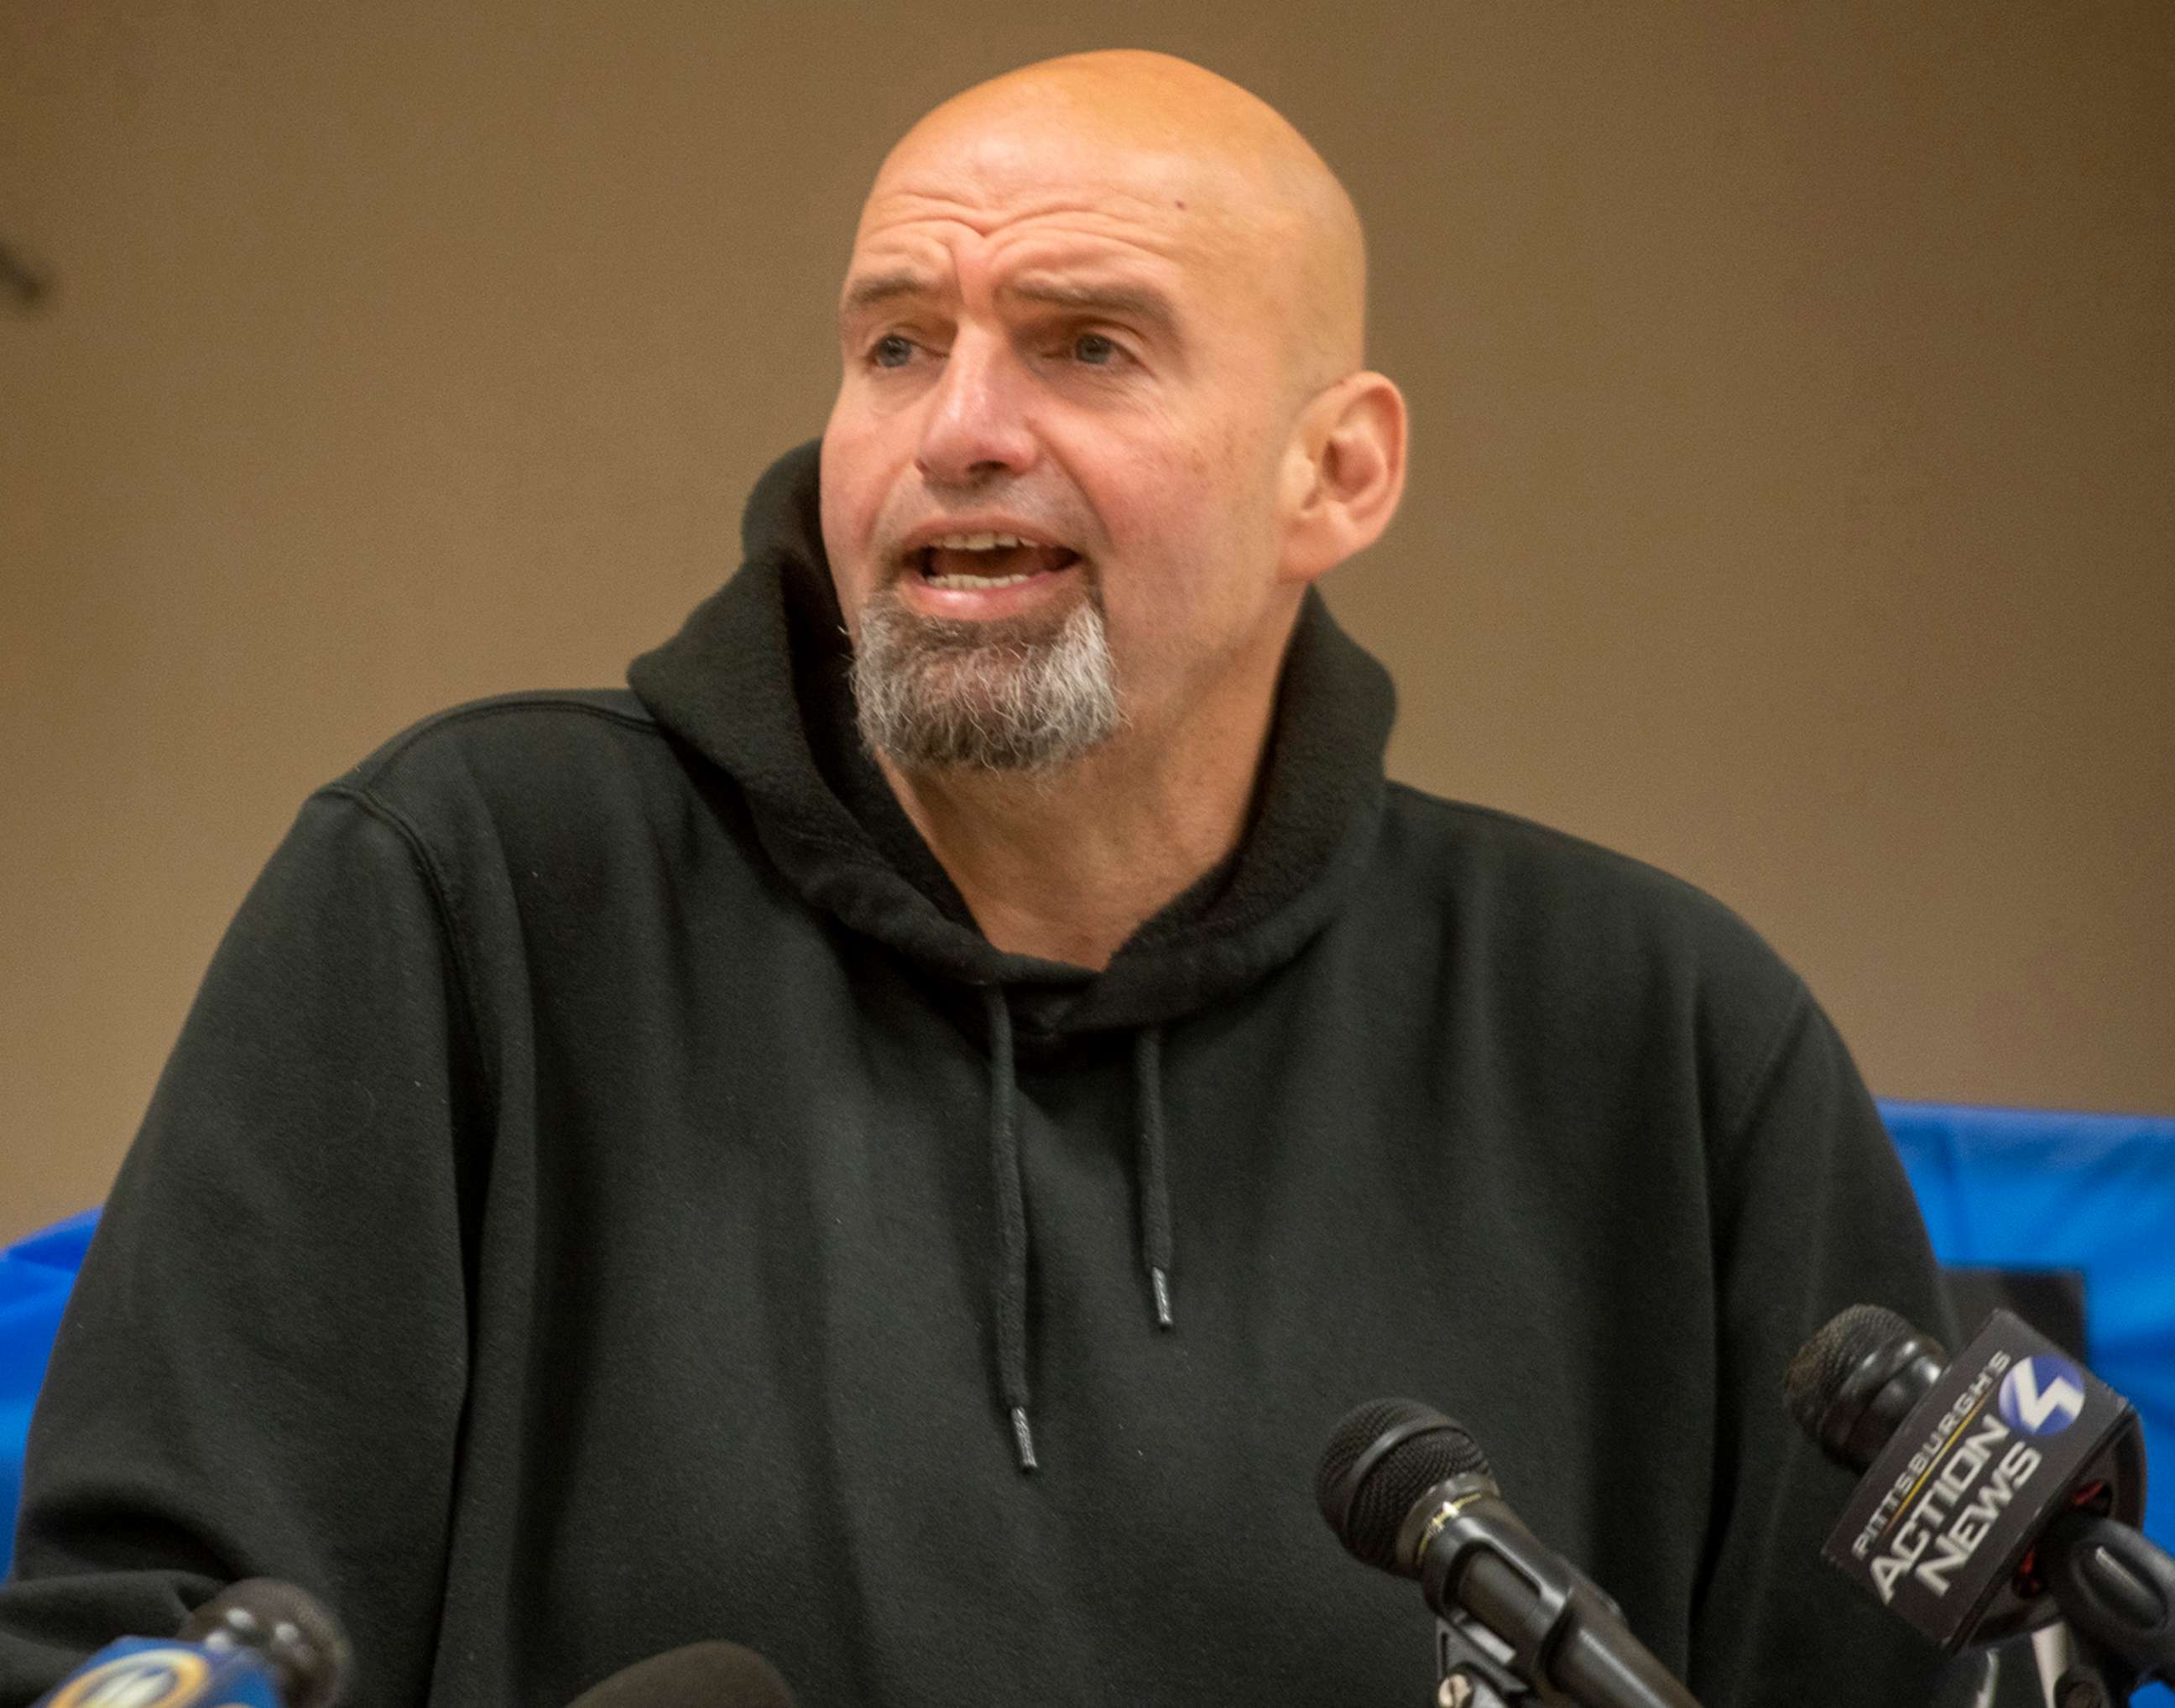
{"points": [[1813, 1215]]}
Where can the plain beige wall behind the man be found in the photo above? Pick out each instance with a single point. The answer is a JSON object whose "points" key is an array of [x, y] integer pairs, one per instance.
{"points": [[1793, 497]]}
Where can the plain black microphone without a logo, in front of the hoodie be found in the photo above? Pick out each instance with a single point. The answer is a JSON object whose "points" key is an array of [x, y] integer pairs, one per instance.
{"points": [[1410, 1492]]}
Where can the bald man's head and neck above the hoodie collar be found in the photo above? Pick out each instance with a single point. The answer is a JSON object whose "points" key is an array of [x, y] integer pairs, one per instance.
{"points": [[1110, 308]]}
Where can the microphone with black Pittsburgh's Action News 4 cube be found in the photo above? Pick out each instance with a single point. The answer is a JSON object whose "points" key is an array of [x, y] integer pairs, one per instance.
{"points": [[1989, 1483]]}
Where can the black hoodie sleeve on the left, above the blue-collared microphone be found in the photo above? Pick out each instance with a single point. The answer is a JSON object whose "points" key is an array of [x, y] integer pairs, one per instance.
{"points": [[264, 1361]]}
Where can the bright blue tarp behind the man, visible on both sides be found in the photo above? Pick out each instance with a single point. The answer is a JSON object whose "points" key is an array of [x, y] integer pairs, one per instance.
{"points": [[2006, 1189]]}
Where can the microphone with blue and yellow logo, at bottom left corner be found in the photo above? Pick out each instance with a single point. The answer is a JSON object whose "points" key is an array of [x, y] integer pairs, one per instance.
{"points": [[258, 1644]]}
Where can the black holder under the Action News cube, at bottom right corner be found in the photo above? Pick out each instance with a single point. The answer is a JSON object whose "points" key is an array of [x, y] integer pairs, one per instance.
{"points": [[2117, 1592]]}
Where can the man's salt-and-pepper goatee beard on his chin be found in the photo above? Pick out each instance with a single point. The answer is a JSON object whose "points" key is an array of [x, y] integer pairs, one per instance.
{"points": [[995, 697]]}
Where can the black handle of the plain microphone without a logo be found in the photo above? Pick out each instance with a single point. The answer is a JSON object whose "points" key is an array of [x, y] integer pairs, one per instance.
{"points": [[1567, 1639]]}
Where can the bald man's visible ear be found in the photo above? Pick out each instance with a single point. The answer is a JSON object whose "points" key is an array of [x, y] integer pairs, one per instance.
{"points": [[1343, 475]]}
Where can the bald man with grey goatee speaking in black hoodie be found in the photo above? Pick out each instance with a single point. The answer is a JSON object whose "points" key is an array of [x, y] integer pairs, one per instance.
{"points": [[897, 1139]]}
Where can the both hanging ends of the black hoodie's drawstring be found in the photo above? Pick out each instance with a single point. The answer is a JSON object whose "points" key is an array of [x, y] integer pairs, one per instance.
{"points": [[1010, 1183]]}
